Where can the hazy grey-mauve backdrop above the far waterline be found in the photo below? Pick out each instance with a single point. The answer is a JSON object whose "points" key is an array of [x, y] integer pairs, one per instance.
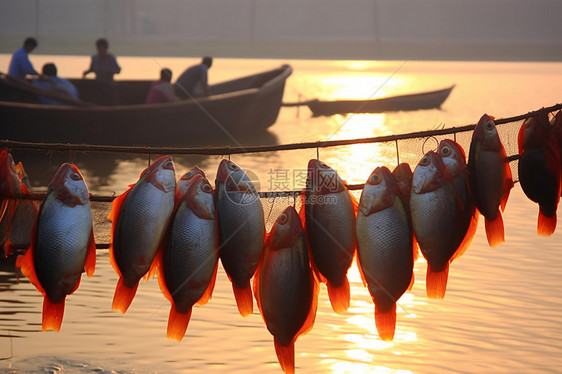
{"points": [[518, 30]]}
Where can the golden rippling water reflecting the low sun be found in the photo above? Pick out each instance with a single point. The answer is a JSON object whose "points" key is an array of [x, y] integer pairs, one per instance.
{"points": [[502, 310]]}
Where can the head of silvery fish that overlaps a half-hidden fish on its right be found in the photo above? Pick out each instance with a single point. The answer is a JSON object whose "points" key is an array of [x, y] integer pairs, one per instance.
{"points": [[428, 174]]}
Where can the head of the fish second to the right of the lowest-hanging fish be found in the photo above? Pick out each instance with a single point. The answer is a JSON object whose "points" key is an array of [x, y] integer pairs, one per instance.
{"points": [[379, 191]]}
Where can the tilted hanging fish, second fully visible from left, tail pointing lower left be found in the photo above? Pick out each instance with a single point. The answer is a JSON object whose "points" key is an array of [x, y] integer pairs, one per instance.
{"points": [[139, 219]]}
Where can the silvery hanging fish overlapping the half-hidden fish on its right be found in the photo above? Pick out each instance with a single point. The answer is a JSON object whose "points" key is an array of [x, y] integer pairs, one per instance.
{"points": [[435, 209]]}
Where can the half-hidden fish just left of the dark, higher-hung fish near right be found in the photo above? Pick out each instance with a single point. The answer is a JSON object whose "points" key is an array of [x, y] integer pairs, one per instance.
{"points": [[454, 160]]}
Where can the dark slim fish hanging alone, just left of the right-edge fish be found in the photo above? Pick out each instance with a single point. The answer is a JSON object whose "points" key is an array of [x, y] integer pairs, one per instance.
{"points": [[489, 177]]}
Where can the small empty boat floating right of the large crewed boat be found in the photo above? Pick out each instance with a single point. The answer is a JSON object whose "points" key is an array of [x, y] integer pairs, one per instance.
{"points": [[423, 100]]}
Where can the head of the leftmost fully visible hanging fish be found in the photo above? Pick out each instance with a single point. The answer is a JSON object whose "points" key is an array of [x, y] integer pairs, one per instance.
{"points": [[69, 187]]}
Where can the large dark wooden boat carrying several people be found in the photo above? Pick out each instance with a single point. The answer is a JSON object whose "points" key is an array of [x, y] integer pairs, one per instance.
{"points": [[235, 108]]}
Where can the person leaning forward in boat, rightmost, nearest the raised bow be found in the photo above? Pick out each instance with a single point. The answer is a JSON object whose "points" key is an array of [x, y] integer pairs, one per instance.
{"points": [[194, 80]]}
